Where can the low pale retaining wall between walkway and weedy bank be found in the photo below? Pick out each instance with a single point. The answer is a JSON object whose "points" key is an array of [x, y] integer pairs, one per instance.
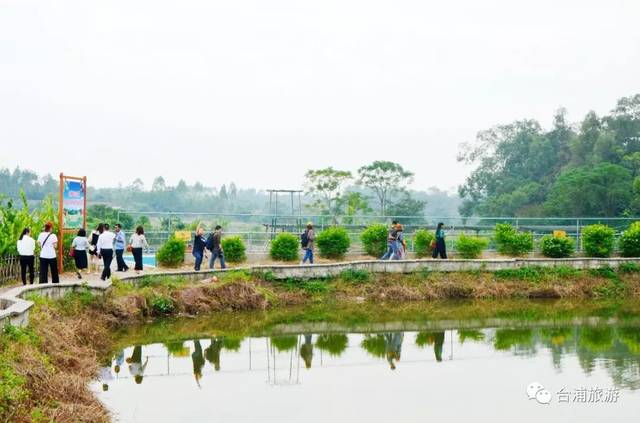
{"points": [[14, 308]]}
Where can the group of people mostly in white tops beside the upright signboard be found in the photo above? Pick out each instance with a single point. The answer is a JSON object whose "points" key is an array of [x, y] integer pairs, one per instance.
{"points": [[102, 246]]}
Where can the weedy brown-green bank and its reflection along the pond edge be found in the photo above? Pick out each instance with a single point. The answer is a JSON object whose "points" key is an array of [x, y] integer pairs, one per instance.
{"points": [[46, 367]]}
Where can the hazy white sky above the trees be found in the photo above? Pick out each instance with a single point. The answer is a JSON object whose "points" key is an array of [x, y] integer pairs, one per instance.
{"points": [[258, 91]]}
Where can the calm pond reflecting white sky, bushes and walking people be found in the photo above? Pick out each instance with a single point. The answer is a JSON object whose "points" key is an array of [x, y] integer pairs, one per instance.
{"points": [[572, 367]]}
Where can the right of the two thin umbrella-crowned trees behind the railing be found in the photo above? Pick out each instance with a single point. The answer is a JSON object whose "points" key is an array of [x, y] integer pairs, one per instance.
{"points": [[384, 178]]}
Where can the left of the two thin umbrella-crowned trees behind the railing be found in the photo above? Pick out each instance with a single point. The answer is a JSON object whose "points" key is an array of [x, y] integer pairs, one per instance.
{"points": [[327, 186]]}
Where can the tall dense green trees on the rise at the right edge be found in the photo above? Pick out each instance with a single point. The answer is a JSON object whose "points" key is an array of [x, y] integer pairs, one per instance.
{"points": [[591, 168]]}
